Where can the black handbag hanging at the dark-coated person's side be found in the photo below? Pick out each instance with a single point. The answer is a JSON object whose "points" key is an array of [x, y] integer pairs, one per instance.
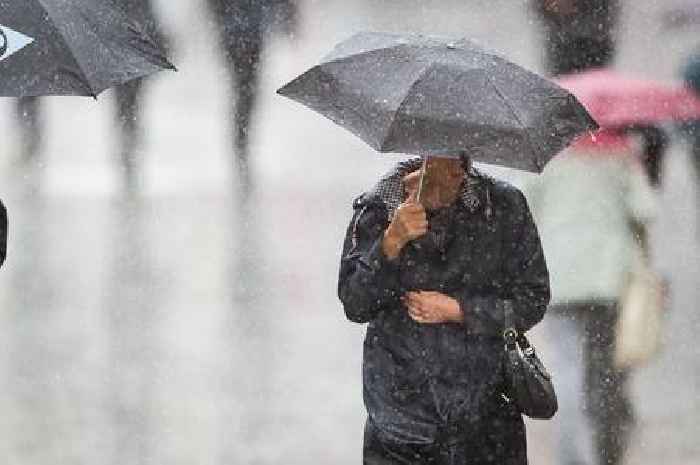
{"points": [[528, 384]]}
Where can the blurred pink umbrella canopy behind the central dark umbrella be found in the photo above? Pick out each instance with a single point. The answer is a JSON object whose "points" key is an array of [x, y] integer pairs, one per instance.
{"points": [[617, 100]]}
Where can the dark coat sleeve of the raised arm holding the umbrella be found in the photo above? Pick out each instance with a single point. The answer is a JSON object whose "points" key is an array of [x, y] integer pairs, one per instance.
{"points": [[368, 280]]}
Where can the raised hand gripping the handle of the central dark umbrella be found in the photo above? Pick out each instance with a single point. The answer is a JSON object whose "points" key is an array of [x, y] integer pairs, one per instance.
{"points": [[408, 223]]}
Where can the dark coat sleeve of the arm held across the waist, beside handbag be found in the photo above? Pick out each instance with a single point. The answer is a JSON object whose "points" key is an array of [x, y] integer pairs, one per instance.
{"points": [[524, 279]]}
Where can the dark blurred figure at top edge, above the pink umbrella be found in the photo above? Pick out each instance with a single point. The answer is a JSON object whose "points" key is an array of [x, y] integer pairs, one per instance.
{"points": [[578, 34]]}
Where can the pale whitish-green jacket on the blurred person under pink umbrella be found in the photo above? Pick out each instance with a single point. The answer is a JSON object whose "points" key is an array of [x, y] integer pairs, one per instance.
{"points": [[583, 206]]}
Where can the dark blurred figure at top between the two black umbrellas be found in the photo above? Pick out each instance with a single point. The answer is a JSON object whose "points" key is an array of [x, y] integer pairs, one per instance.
{"points": [[242, 26]]}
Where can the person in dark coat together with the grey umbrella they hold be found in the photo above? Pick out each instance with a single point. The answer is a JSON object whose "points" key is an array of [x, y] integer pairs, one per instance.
{"points": [[439, 256]]}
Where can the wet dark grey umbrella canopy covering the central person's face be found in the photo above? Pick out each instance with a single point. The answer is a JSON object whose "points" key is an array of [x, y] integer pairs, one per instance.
{"points": [[428, 96]]}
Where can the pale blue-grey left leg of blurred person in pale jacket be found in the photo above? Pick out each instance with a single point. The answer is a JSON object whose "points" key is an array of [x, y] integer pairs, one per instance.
{"points": [[564, 330]]}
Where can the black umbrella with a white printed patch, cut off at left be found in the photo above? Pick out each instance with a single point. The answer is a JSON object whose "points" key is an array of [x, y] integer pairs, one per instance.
{"points": [[72, 47]]}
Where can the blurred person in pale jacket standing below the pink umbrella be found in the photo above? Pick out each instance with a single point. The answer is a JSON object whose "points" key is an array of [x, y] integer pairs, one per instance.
{"points": [[592, 205]]}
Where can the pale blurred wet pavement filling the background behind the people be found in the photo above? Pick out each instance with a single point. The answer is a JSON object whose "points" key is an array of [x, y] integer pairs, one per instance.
{"points": [[150, 316]]}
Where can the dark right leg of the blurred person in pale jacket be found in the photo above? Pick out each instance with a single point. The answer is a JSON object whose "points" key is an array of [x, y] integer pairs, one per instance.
{"points": [[608, 404]]}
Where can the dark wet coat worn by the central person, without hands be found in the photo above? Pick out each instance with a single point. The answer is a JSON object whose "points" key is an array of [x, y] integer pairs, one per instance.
{"points": [[424, 383]]}
